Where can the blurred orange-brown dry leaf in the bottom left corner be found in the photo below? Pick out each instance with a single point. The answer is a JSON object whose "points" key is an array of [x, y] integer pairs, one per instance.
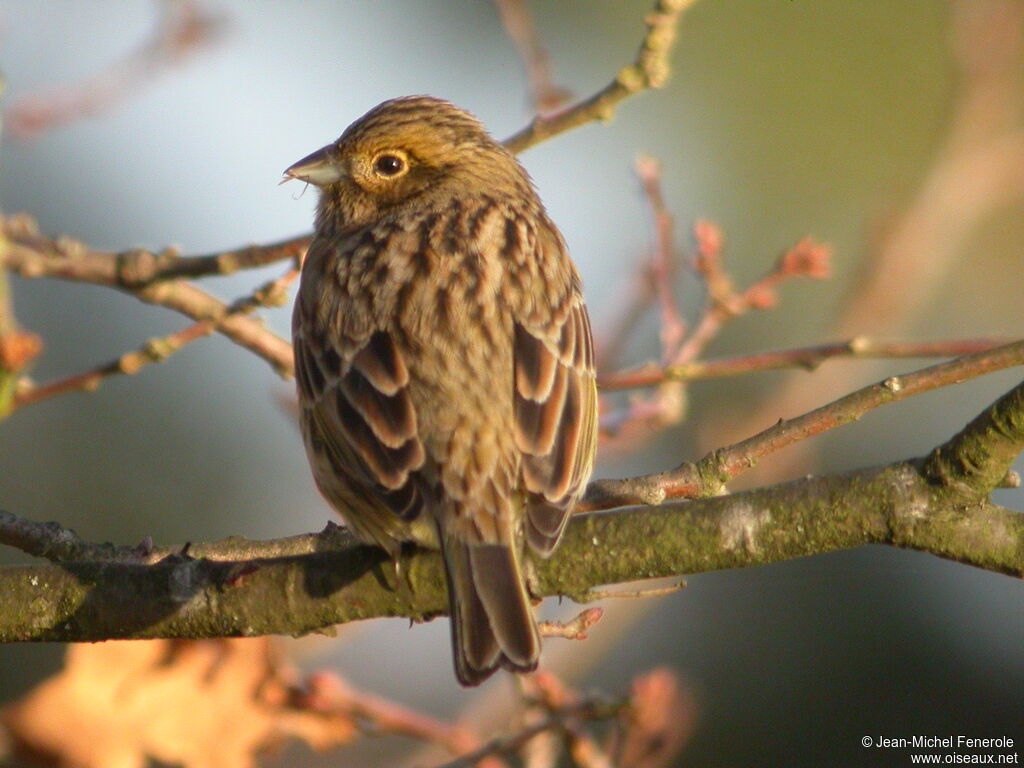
{"points": [[196, 704]]}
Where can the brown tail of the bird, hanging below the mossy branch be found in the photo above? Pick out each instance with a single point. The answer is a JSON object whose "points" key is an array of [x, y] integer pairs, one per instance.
{"points": [[492, 621]]}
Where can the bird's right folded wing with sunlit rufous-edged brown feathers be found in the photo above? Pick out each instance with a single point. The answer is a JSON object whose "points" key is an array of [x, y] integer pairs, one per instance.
{"points": [[556, 417]]}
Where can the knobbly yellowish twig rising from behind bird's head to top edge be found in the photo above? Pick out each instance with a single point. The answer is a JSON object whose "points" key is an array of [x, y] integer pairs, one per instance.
{"points": [[651, 70]]}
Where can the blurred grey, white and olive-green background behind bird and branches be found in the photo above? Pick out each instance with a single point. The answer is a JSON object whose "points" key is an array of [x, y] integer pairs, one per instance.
{"points": [[876, 127]]}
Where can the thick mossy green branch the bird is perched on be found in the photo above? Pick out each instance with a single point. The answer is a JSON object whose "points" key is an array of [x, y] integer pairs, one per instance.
{"points": [[338, 581]]}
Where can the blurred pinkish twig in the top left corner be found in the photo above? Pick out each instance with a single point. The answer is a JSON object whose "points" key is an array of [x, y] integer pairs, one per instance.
{"points": [[185, 29]]}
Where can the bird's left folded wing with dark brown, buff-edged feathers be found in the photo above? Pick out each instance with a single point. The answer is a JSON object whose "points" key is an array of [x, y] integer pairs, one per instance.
{"points": [[363, 433]]}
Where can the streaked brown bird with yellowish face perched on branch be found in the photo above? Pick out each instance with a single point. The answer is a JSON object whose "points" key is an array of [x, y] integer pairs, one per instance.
{"points": [[445, 363]]}
